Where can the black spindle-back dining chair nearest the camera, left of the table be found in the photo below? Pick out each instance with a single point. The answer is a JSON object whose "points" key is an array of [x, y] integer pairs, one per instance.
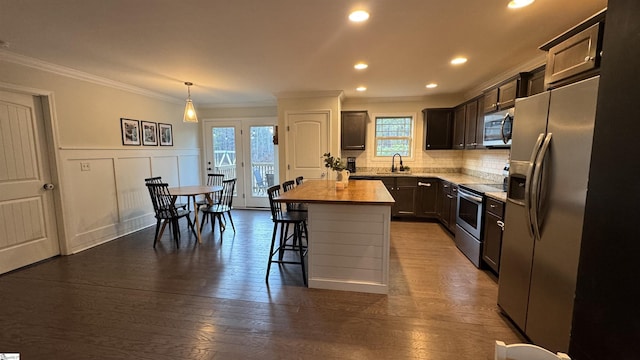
{"points": [[166, 212]]}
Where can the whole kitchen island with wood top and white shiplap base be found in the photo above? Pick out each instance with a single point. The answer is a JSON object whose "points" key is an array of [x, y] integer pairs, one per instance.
{"points": [[349, 234]]}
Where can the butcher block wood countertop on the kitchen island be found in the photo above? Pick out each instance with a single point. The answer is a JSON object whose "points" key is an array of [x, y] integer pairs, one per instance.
{"points": [[362, 192]]}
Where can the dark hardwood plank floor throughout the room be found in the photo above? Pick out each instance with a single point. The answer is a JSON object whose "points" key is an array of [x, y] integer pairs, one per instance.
{"points": [[125, 300]]}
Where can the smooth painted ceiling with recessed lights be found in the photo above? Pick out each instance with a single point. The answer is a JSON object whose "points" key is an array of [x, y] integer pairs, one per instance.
{"points": [[248, 52]]}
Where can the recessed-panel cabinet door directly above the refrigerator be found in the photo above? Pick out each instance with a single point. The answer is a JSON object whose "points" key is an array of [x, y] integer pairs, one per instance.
{"points": [[573, 56]]}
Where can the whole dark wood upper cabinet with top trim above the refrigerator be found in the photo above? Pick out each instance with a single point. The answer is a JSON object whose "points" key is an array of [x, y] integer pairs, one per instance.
{"points": [[575, 54]]}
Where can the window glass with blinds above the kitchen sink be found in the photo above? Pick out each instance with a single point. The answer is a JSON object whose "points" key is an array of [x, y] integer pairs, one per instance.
{"points": [[393, 135]]}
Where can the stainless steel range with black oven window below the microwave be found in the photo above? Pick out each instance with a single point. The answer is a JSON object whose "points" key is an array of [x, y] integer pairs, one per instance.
{"points": [[469, 218]]}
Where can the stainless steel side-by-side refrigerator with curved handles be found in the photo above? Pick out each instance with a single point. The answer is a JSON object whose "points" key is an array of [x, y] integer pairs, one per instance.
{"points": [[547, 188]]}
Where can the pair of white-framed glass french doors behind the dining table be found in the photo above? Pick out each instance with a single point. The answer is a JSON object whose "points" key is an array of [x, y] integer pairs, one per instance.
{"points": [[243, 149]]}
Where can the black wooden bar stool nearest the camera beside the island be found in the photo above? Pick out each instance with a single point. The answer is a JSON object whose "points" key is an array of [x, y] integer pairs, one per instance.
{"points": [[283, 220]]}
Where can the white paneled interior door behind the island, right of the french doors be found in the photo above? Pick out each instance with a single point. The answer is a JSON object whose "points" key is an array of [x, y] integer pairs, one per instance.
{"points": [[307, 141]]}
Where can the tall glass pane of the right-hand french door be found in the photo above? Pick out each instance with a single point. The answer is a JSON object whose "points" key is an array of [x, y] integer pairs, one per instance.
{"points": [[262, 159]]}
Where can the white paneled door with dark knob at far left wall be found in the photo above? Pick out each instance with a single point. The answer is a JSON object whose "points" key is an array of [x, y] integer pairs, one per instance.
{"points": [[28, 230]]}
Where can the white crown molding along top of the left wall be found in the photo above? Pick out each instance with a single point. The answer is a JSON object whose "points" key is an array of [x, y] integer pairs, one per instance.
{"points": [[23, 60]]}
